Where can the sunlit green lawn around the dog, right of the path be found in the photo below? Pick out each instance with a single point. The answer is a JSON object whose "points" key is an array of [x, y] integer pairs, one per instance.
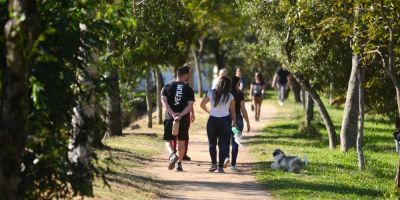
{"points": [[331, 174]]}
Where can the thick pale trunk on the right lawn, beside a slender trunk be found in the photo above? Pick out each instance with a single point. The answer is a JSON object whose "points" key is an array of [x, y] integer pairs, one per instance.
{"points": [[348, 133]]}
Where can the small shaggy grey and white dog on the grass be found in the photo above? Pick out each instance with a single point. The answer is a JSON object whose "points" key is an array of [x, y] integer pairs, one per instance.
{"points": [[288, 163]]}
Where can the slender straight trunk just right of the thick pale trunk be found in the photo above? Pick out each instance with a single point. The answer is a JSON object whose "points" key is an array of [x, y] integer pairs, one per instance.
{"points": [[360, 135]]}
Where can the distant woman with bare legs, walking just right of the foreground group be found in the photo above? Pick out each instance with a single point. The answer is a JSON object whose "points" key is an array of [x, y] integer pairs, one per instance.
{"points": [[257, 89]]}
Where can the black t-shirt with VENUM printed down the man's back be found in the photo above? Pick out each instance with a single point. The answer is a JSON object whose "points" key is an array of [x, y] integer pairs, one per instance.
{"points": [[178, 94]]}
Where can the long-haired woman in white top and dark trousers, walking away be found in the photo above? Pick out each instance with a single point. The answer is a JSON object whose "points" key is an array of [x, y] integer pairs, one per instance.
{"points": [[222, 113]]}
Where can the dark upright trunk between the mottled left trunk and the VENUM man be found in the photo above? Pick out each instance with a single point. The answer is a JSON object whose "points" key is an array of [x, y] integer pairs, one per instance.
{"points": [[114, 114]]}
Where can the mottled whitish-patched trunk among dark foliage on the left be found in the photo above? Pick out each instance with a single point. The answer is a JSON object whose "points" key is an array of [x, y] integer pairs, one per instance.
{"points": [[84, 128]]}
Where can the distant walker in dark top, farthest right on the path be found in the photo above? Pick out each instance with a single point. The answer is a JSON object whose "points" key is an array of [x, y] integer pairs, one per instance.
{"points": [[281, 79]]}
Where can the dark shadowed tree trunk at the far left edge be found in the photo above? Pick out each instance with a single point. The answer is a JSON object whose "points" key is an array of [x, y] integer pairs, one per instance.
{"points": [[20, 35]]}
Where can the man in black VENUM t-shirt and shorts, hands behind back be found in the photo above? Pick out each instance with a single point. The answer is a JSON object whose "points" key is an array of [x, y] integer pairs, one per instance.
{"points": [[177, 98]]}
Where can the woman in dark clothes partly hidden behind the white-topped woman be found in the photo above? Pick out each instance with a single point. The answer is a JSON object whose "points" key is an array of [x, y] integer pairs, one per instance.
{"points": [[241, 113]]}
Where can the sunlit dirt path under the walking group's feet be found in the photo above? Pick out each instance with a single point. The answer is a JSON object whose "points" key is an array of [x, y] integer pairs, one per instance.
{"points": [[196, 182]]}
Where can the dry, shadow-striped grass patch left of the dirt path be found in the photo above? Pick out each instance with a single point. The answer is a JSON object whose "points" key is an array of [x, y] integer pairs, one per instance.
{"points": [[124, 157]]}
